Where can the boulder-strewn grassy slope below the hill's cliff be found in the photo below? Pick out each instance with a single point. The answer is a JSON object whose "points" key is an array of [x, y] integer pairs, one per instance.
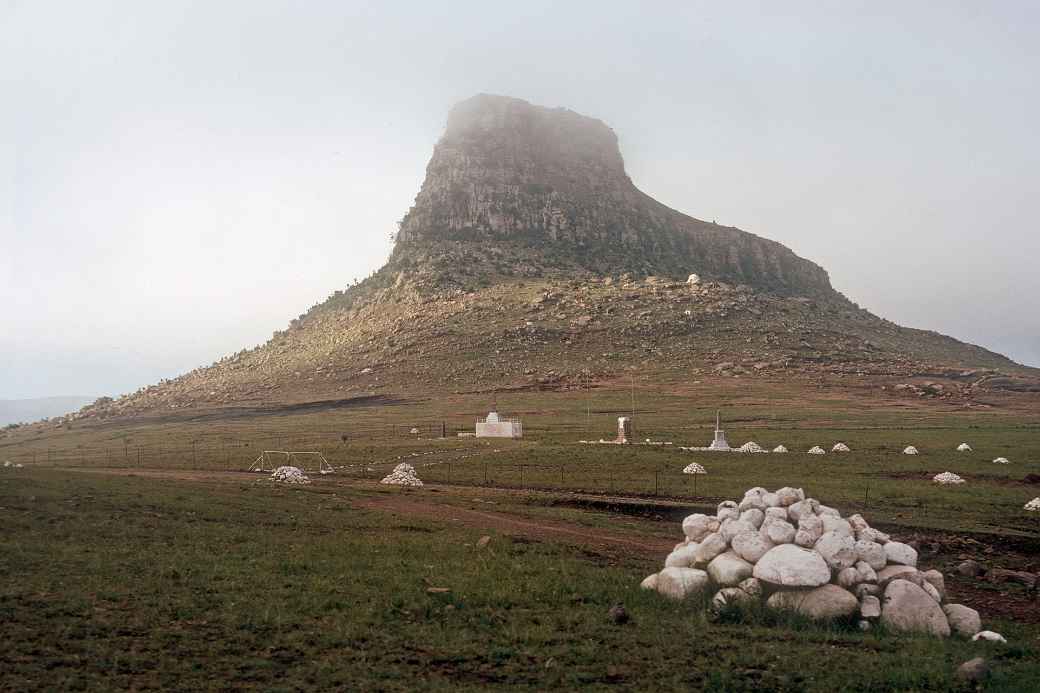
{"points": [[514, 333]]}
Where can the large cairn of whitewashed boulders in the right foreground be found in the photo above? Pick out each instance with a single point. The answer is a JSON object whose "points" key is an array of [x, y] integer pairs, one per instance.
{"points": [[795, 554]]}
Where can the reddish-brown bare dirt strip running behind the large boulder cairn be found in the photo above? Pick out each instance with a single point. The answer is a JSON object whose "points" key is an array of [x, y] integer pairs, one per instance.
{"points": [[649, 536]]}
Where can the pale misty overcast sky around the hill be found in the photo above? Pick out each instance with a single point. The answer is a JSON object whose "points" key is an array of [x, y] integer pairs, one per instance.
{"points": [[180, 179]]}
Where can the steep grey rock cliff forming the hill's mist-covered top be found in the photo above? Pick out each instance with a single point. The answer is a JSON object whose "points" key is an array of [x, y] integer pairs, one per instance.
{"points": [[553, 181]]}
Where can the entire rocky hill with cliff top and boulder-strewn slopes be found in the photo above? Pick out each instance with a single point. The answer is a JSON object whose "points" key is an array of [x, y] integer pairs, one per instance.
{"points": [[531, 261]]}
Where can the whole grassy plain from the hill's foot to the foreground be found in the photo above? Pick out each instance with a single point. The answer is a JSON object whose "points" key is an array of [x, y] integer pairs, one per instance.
{"points": [[139, 582]]}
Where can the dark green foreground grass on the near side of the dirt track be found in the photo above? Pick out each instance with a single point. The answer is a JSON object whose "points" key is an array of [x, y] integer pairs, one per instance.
{"points": [[129, 583]]}
